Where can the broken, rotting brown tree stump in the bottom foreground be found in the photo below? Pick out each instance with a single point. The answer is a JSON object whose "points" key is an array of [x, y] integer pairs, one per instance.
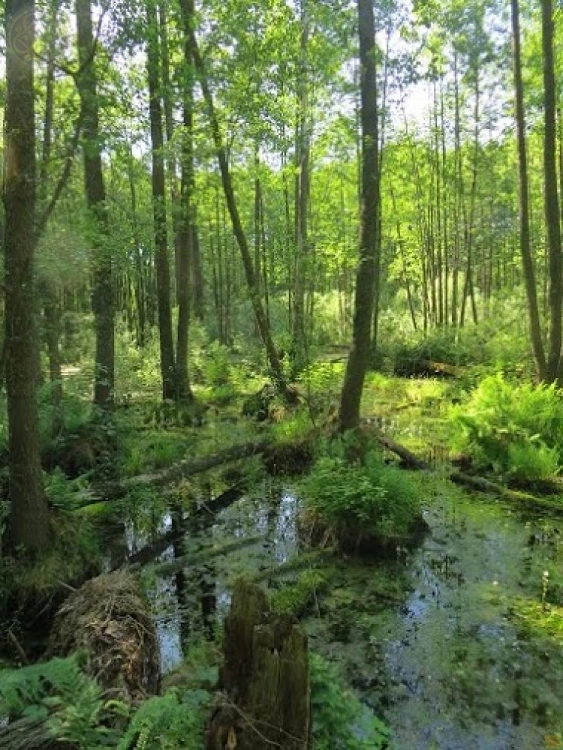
{"points": [[266, 676]]}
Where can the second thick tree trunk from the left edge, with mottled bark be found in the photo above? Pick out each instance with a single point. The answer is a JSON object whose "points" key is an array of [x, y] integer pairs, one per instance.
{"points": [[102, 274]]}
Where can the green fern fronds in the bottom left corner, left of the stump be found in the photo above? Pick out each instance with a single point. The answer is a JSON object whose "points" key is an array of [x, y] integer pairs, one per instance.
{"points": [[58, 701]]}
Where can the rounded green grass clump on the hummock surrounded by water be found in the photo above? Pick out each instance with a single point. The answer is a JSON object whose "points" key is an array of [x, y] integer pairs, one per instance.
{"points": [[360, 506]]}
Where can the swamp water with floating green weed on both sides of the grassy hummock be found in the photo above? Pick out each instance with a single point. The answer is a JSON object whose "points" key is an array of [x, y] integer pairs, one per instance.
{"points": [[435, 641]]}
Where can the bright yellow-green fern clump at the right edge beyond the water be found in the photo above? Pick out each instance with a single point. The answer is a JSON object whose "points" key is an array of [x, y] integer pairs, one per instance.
{"points": [[515, 430]]}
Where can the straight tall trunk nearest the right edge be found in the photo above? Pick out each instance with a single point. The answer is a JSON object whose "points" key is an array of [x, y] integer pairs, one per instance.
{"points": [[552, 218]]}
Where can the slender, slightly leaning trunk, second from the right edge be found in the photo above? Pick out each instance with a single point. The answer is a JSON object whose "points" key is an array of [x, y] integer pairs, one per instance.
{"points": [[525, 245]]}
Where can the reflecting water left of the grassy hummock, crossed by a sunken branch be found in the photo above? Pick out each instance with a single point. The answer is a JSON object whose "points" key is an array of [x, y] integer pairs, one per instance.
{"points": [[193, 602]]}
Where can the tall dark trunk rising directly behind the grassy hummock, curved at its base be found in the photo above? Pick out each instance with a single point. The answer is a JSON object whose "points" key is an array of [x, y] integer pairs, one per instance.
{"points": [[351, 395]]}
